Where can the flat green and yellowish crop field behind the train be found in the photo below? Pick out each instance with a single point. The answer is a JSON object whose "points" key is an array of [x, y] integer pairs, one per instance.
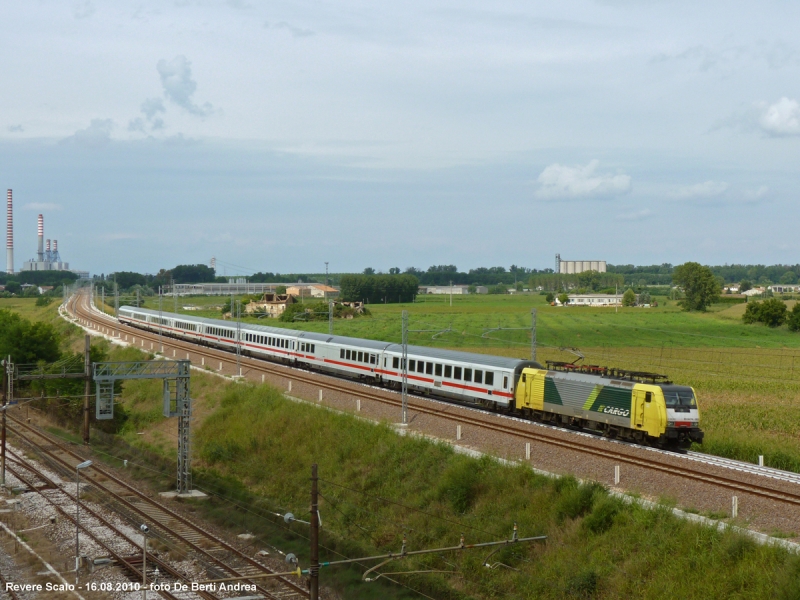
{"points": [[747, 376]]}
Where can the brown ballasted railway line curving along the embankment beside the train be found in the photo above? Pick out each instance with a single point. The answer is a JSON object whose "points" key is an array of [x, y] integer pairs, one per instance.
{"points": [[775, 487]]}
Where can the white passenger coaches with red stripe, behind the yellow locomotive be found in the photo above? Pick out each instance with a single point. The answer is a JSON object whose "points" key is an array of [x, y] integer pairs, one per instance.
{"points": [[468, 377]]}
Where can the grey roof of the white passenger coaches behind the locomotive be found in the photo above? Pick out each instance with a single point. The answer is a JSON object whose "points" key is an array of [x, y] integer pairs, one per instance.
{"points": [[491, 360]]}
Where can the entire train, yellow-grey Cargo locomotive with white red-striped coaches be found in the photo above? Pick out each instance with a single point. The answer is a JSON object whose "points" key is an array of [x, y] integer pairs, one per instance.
{"points": [[636, 406]]}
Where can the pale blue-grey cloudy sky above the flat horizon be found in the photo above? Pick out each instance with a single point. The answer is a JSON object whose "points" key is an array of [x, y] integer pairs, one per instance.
{"points": [[276, 136]]}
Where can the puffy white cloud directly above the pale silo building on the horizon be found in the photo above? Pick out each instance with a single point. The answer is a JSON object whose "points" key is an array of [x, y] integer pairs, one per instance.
{"points": [[560, 181]]}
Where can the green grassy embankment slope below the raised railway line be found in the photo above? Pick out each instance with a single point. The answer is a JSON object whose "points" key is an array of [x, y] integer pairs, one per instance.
{"points": [[256, 447]]}
